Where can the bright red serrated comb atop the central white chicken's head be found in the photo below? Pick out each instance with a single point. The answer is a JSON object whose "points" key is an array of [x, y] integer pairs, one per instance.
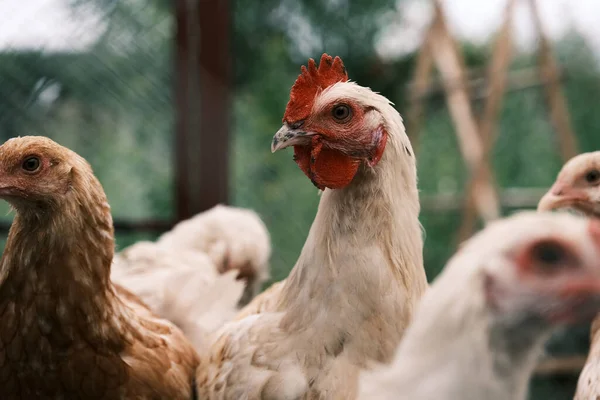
{"points": [[311, 82]]}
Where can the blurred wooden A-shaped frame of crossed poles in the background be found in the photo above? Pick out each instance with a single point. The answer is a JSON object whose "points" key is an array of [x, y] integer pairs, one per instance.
{"points": [[476, 134]]}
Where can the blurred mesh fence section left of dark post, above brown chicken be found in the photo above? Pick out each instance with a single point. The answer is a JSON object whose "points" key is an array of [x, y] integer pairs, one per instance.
{"points": [[97, 80]]}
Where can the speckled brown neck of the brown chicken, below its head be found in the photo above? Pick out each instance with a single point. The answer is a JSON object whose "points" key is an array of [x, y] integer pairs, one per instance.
{"points": [[54, 275]]}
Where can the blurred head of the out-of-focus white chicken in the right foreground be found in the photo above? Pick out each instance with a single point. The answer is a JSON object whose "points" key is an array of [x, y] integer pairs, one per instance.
{"points": [[554, 276]]}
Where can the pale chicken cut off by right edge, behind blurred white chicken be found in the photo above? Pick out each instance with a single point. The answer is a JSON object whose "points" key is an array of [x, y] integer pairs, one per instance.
{"points": [[577, 187]]}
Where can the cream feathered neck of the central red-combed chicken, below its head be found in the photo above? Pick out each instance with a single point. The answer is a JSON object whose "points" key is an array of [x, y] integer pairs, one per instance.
{"points": [[361, 270]]}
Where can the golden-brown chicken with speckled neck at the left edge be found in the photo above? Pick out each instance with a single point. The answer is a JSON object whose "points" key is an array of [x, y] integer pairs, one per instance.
{"points": [[67, 332]]}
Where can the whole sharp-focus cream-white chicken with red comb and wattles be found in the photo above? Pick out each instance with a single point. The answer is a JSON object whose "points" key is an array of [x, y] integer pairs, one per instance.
{"points": [[352, 291]]}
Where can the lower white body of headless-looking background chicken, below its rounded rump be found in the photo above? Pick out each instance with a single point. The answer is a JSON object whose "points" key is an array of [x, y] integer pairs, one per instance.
{"points": [[182, 286]]}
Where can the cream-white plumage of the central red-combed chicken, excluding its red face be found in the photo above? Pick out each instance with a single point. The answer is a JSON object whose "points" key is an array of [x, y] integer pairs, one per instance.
{"points": [[351, 293]]}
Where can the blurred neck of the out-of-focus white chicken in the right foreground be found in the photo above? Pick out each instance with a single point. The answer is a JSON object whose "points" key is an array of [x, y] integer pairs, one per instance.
{"points": [[457, 341]]}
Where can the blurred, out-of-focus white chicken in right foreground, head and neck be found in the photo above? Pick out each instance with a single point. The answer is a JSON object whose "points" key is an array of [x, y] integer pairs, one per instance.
{"points": [[481, 327]]}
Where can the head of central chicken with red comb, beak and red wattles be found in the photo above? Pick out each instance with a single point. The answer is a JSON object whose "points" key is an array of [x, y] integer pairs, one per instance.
{"points": [[332, 130]]}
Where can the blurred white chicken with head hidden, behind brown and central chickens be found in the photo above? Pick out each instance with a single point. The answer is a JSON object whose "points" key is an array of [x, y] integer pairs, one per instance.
{"points": [[200, 272]]}
